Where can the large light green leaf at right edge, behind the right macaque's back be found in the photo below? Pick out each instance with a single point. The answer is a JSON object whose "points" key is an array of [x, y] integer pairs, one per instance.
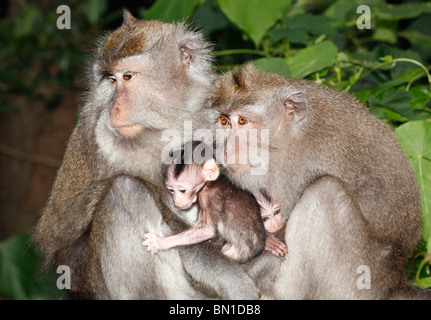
{"points": [[415, 139]]}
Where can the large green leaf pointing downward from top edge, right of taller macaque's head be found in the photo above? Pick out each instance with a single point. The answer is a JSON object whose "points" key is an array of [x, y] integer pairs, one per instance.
{"points": [[254, 17]]}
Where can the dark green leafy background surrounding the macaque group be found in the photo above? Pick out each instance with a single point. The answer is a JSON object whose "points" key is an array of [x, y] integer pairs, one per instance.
{"points": [[41, 67]]}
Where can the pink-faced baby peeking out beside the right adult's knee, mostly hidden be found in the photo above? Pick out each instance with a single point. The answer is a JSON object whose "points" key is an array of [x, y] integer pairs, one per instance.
{"points": [[270, 212]]}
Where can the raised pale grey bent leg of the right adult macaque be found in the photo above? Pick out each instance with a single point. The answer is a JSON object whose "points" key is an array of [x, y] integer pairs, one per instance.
{"points": [[331, 254]]}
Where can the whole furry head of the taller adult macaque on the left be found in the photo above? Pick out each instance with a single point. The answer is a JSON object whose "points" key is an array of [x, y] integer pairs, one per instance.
{"points": [[143, 71]]}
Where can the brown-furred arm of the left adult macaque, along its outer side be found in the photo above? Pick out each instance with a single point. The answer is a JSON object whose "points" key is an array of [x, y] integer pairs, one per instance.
{"points": [[74, 197]]}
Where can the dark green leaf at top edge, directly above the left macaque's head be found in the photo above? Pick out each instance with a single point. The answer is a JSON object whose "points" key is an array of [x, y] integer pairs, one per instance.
{"points": [[171, 10]]}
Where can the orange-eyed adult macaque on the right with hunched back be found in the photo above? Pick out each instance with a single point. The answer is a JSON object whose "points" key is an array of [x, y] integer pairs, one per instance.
{"points": [[347, 190]]}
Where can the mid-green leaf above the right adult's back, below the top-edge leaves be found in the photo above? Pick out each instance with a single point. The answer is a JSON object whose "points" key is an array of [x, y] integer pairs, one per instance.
{"points": [[312, 59]]}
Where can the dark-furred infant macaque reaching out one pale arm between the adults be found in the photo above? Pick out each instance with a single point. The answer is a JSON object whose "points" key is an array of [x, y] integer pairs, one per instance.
{"points": [[224, 210]]}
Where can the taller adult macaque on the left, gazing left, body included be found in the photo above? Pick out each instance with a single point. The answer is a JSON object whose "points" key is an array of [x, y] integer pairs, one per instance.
{"points": [[147, 76]]}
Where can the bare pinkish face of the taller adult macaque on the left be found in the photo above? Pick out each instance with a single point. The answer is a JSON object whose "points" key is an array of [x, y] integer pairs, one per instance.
{"points": [[136, 93]]}
